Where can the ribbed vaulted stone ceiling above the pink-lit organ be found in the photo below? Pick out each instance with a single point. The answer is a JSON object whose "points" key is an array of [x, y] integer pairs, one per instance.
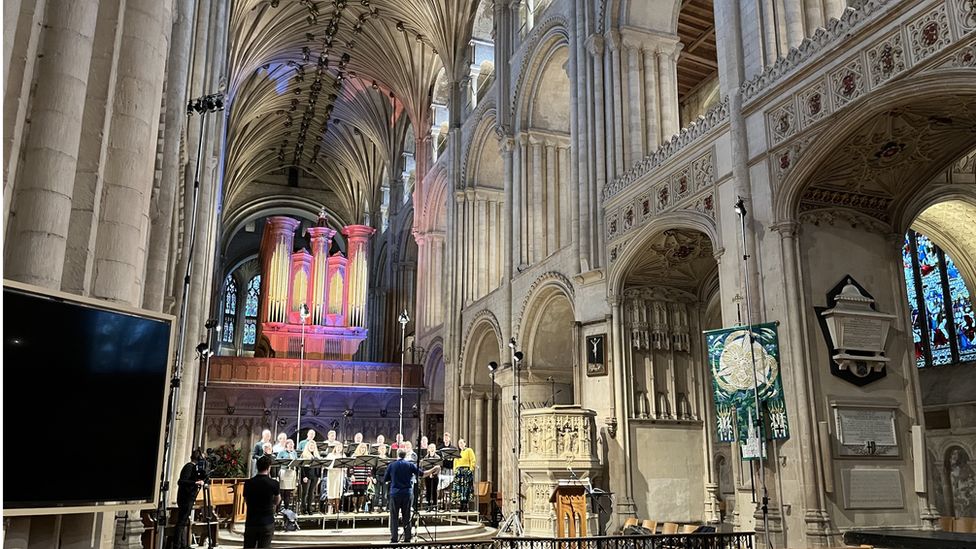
{"points": [[332, 87]]}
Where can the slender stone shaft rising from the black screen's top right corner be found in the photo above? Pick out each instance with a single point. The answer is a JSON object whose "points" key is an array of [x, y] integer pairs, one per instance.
{"points": [[177, 74]]}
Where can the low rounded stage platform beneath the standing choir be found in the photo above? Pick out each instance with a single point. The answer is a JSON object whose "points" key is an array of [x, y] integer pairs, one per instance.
{"points": [[369, 528]]}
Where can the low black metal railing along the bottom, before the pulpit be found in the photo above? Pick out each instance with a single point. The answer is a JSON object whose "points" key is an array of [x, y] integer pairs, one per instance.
{"points": [[732, 540]]}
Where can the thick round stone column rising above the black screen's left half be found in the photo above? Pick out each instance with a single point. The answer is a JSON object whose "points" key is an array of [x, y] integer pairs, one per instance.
{"points": [[42, 201]]}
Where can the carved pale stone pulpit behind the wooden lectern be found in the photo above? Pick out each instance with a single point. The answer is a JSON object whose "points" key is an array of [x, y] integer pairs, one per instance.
{"points": [[558, 448]]}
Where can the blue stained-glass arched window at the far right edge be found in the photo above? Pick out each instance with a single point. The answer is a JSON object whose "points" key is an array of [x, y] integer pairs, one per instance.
{"points": [[943, 324]]}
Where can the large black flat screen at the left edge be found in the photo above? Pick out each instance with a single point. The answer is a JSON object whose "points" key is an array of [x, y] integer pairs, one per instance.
{"points": [[83, 398]]}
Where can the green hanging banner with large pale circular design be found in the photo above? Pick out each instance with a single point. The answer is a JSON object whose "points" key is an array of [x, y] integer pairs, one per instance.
{"points": [[731, 362]]}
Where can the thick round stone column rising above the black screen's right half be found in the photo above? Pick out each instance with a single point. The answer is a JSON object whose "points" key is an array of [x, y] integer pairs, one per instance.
{"points": [[120, 250]]}
